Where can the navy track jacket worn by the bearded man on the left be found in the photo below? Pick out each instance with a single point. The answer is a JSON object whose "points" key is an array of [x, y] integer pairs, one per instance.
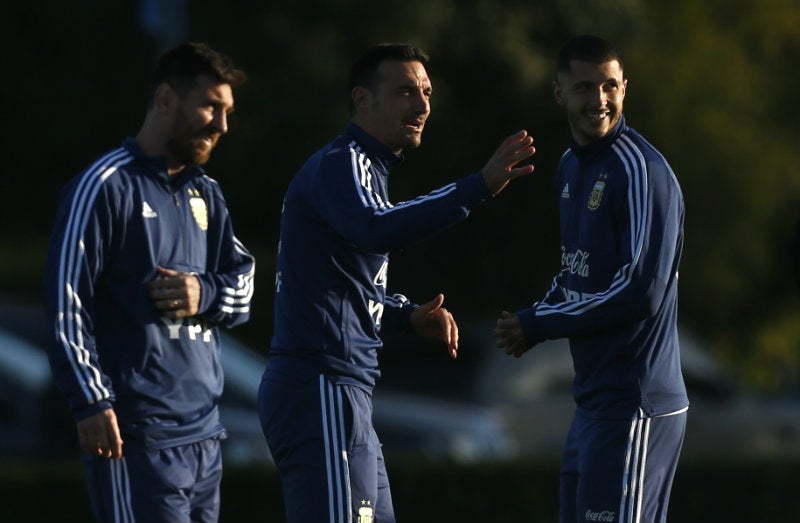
{"points": [[116, 222]]}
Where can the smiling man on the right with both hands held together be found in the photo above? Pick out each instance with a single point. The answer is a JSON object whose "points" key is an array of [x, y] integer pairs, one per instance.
{"points": [[615, 298]]}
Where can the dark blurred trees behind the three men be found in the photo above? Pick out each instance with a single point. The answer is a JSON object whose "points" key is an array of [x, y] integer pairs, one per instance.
{"points": [[711, 85]]}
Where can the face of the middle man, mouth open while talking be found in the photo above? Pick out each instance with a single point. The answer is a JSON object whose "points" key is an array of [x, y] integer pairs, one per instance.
{"points": [[395, 113]]}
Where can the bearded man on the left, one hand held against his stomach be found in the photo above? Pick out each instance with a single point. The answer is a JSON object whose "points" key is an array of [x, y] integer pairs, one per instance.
{"points": [[143, 267]]}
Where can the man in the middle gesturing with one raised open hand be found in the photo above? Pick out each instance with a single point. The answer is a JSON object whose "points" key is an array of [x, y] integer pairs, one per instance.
{"points": [[331, 301]]}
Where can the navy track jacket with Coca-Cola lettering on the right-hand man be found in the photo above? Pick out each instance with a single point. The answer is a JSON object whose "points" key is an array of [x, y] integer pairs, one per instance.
{"points": [[616, 295]]}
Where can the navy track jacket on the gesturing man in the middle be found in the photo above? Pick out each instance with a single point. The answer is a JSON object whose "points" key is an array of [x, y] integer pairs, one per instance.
{"points": [[337, 228]]}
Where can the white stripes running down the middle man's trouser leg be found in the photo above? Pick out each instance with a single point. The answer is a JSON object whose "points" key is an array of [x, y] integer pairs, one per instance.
{"points": [[339, 506]]}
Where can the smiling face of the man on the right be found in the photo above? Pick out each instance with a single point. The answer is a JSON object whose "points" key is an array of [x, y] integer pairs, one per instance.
{"points": [[593, 95]]}
